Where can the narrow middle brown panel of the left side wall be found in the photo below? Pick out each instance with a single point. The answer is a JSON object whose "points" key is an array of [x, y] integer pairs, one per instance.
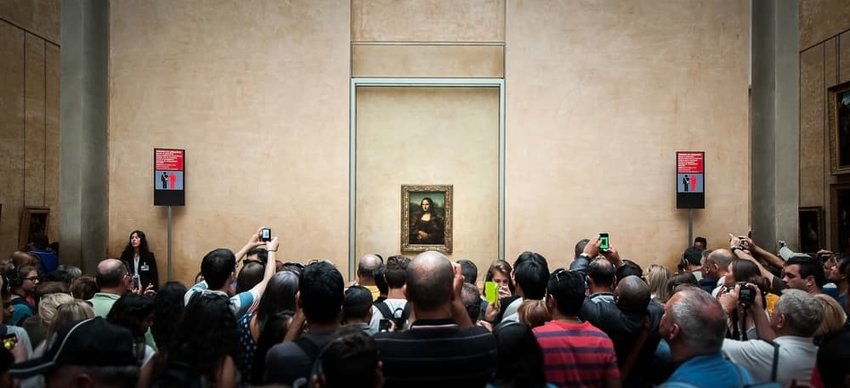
{"points": [[35, 124]]}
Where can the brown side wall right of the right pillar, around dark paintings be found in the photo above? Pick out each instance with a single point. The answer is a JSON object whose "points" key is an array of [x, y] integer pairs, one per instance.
{"points": [[824, 63]]}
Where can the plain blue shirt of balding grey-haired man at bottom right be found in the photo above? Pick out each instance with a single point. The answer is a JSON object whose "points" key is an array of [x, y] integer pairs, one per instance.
{"points": [[709, 371]]}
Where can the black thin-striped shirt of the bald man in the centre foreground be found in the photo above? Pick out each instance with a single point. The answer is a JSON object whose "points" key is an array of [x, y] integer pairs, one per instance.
{"points": [[435, 353]]}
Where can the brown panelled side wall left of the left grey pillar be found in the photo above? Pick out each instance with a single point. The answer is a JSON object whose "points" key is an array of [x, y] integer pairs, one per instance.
{"points": [[29, 115]]}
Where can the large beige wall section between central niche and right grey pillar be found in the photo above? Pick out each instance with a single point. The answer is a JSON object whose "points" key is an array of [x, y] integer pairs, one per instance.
{"points": [[600, 97]]}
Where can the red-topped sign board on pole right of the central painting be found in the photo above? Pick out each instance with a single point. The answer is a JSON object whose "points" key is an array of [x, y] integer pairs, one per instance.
{"points": [[690, 180]]}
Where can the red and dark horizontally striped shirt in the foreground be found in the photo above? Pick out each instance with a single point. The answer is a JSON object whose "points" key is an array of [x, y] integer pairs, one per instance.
{"points": [[576, 354]]}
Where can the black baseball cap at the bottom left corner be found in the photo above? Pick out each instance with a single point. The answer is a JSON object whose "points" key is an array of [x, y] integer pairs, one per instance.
{"points": [[92, 342]]}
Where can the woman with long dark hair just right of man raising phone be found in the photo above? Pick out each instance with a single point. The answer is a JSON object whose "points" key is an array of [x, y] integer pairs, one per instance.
{"points": [[261, 330]]}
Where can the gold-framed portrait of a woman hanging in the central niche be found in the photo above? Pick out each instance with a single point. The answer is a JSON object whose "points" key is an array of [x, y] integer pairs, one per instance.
{"points": [[426, 218]]}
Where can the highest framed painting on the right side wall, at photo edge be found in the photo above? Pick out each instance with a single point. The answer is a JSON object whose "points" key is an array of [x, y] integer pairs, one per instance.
{"points": [[839, 126]]}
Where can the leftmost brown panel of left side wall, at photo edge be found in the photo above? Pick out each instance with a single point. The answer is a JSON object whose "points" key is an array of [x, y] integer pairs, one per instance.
{"points": [[12, 125]]}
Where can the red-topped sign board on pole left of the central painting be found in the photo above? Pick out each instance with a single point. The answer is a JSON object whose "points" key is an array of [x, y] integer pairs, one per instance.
{"points": [[169, 177]]}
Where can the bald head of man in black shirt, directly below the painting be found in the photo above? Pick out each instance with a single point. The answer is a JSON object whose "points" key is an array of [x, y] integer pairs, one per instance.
{"points": [[429, 281]]}
